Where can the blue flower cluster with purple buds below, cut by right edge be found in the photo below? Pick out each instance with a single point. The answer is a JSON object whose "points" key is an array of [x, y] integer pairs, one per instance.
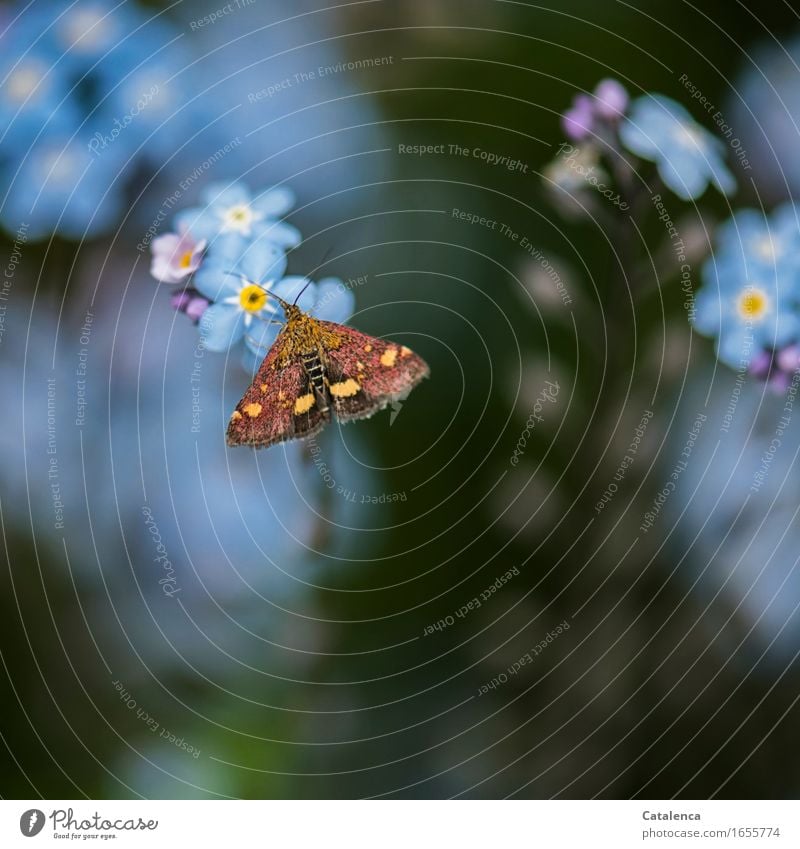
{"points": [[750, 300]]}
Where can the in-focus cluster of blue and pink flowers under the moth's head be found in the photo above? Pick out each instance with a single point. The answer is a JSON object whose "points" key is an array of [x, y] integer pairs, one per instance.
{"points": [[228, 256]]}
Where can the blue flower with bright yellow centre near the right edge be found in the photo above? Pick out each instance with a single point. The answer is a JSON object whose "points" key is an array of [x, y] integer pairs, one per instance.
{"points": [[746, 310]]}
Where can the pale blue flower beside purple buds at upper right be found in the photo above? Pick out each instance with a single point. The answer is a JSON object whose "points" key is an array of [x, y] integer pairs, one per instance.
{"points": [[688, 157]]}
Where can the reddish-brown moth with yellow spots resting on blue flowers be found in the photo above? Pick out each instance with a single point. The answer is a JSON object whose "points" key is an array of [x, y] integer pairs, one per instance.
{"points": [[316, 370]]}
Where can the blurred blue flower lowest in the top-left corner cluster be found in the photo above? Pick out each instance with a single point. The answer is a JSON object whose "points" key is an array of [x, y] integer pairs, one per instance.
{"points": [[60, 187]]}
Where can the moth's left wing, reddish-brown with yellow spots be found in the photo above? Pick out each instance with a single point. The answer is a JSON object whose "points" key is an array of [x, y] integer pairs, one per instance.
{"points": [[278, 405]]}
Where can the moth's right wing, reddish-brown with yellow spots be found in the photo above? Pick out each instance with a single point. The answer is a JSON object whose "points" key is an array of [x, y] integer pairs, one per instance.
{"points": [[365, 374]]}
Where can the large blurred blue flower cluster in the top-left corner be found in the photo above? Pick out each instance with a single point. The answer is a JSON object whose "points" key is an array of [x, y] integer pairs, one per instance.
{"points": [[85, 97]]}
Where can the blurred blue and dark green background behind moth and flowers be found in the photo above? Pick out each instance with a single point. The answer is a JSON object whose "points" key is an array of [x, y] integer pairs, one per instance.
{"points": [[311, 646]]}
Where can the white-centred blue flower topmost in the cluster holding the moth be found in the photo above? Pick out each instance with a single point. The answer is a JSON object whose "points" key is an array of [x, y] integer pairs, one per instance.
{"points": [[230, 209]]}
